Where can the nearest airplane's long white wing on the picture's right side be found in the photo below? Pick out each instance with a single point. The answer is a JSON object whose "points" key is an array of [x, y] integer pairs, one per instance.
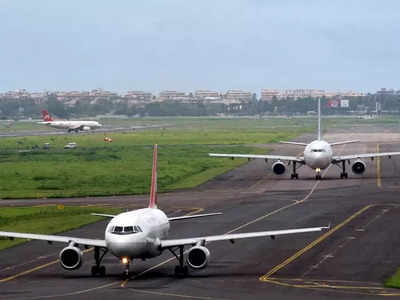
{"points": [[235, 236]]}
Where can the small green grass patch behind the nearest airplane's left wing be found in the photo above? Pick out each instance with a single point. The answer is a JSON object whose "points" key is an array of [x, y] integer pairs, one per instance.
{"points": [[49, 219]]}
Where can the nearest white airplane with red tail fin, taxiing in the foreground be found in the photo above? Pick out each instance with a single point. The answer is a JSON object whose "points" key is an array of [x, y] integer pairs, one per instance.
{"points": [[142, 234]]}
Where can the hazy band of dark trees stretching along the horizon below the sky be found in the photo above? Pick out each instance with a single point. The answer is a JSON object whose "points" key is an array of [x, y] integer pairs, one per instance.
{"points": [[25, 108]]}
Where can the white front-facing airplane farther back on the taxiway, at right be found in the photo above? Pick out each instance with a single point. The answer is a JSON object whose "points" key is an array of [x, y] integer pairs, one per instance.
{"points": [[317, 155]]}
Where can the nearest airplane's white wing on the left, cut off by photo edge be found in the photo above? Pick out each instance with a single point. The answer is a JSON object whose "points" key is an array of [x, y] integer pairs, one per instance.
{"points": [[55, 238]]}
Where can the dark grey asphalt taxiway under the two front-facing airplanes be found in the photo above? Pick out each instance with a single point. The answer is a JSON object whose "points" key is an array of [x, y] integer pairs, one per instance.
{"points": [[349, 261]]}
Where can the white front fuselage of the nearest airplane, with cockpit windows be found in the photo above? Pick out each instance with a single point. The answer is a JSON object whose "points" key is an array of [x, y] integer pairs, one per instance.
{"points": [[150, 225]]}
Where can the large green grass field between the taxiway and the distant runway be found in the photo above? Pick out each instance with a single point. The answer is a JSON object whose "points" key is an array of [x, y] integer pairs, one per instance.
{"points": [[124, 166]]}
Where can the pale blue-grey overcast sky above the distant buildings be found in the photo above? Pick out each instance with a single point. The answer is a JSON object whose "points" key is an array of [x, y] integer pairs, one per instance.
{"points": [[189, 45]]}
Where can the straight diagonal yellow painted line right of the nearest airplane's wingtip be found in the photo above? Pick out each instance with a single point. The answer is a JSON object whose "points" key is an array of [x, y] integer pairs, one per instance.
{"points": [[312, 244]]}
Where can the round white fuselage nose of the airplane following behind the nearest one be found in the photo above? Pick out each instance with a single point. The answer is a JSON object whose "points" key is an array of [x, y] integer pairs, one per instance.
{"points": [[318, 154]]}
